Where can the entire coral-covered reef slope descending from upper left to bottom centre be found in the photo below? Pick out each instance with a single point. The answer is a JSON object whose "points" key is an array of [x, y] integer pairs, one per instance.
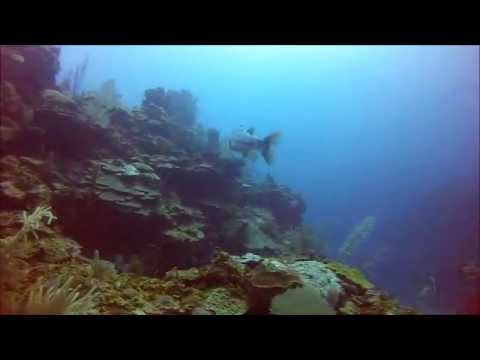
{"points": [[179, 228]]}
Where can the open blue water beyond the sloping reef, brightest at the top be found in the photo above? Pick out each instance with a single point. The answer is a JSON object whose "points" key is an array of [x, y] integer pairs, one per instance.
{"points": [[390, 132]]}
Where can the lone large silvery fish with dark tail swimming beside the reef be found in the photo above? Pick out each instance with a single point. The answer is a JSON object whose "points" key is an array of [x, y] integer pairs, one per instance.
{"points": [[248, 144]]}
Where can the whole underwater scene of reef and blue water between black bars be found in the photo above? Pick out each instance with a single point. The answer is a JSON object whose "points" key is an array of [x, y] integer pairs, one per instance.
{"points": [[239, 180]]}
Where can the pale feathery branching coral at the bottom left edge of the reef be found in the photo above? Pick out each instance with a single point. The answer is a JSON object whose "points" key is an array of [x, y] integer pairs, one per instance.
{"points": [[59, 299]]}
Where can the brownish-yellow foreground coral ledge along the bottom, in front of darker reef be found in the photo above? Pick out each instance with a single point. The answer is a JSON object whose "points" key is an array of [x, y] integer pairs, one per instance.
{"points": [[227, 285]]}
